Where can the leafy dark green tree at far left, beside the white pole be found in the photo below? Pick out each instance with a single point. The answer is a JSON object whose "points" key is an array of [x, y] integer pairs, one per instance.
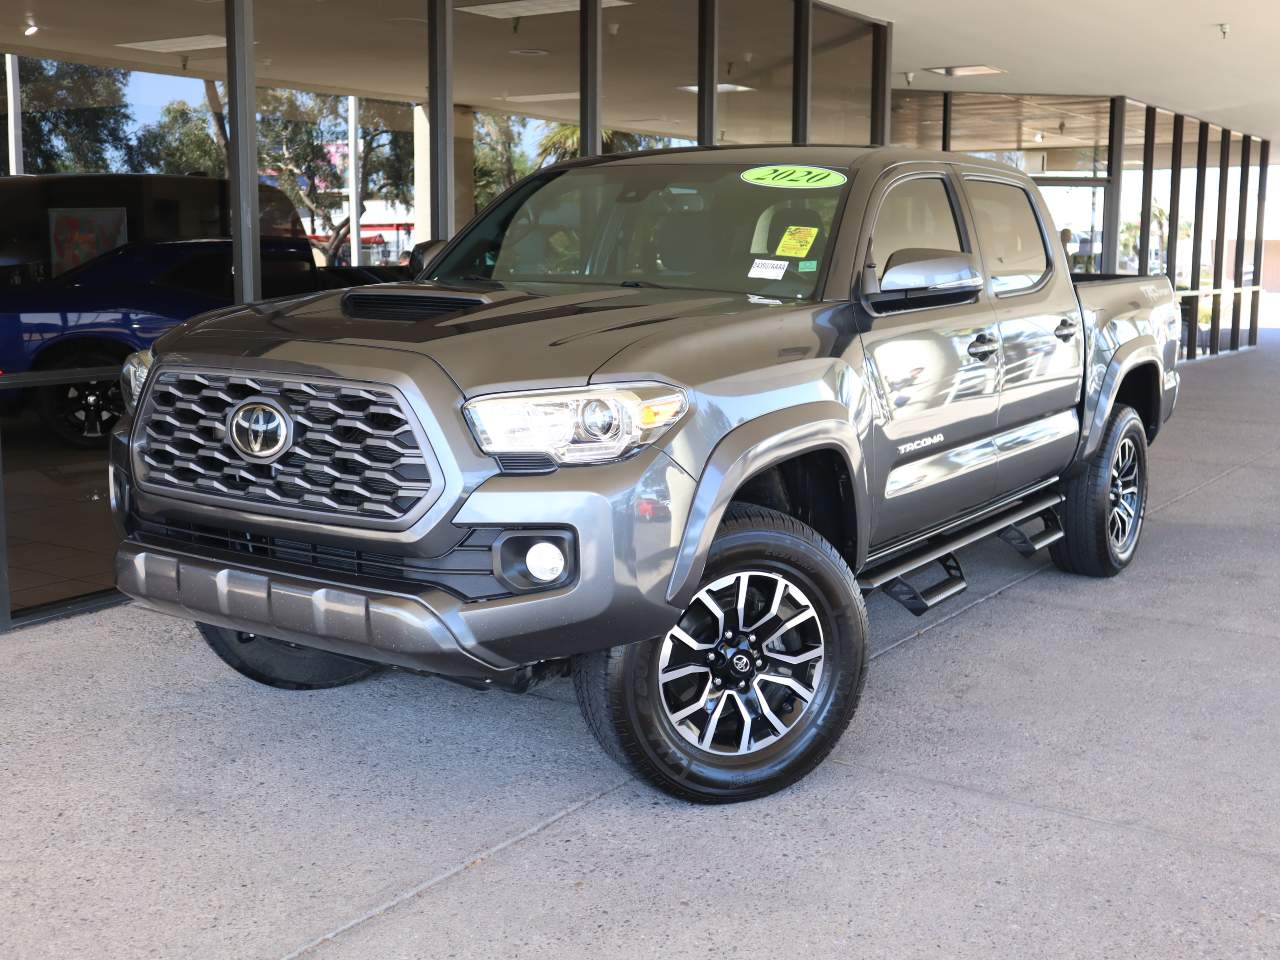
{"points": [[75, 118]]}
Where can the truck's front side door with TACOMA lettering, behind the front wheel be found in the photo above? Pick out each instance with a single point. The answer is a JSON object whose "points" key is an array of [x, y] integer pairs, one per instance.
{"points": [[934, 362]]}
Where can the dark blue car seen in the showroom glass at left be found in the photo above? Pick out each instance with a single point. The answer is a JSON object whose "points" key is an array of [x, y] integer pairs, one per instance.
{"points": [[99, 313]]}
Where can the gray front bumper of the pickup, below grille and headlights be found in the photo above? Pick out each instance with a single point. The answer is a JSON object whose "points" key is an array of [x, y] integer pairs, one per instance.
{"points": [[628, 520]]}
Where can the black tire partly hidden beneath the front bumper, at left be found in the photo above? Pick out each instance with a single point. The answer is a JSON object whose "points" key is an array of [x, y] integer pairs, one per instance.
{"points": [[282, 665]]}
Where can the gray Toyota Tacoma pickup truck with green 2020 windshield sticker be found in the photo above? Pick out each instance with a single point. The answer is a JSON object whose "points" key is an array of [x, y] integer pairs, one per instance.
{"points": [[659, 422]]}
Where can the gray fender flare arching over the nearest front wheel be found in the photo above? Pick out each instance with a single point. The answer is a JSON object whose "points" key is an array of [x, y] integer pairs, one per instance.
{"points": [[751, 450]]}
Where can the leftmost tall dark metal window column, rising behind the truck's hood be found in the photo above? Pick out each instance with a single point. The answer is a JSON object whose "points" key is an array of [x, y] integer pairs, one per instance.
{"points": [[243, 132]]}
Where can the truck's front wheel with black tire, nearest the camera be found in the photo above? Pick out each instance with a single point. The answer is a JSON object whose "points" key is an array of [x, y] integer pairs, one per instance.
{"points": [[650, 728]]}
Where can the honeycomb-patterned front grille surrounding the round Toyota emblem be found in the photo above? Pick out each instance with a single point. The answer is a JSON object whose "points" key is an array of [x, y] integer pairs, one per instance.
{"points": [[355, 452]]}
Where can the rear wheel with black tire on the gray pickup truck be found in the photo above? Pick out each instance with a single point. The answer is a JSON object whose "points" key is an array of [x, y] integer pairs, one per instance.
{"points": [[1109, 493]]}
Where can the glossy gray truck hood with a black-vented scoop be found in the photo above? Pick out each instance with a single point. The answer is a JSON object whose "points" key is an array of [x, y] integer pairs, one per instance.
{"points": [[492, 340]]}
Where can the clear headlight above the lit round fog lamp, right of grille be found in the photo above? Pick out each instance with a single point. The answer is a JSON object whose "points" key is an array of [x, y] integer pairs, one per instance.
{"points": [[588, 426]]}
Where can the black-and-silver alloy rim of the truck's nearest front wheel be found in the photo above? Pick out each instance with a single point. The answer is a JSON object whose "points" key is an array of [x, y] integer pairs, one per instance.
{"points": [[743, 665]]}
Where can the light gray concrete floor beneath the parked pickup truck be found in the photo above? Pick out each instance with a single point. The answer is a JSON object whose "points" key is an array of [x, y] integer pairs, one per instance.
{"points": [[1045, 767]]}
